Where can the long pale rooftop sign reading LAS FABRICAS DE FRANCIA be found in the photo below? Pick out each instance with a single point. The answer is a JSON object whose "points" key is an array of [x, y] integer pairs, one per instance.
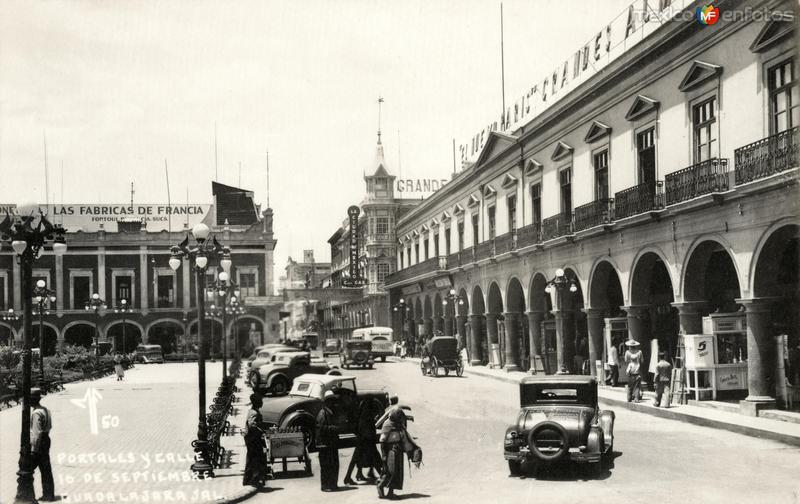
{"points": [[88, 217]]}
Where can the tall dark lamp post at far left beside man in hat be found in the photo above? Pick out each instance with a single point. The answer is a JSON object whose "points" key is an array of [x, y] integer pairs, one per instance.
{"points": [[28, 232]]}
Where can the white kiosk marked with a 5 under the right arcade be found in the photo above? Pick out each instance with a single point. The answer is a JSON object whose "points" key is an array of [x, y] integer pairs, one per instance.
{"points": [[717, 359]]}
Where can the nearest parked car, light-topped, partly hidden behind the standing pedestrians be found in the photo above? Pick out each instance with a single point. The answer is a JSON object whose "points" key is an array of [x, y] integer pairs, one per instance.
{"points": [[300, 407]]}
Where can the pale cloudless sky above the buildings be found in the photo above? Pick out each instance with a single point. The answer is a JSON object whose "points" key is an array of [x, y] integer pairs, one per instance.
{"points": [[118, 88]]}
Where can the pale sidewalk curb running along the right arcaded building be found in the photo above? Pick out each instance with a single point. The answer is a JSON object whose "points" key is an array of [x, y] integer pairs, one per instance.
{"points": [[671, 413]]}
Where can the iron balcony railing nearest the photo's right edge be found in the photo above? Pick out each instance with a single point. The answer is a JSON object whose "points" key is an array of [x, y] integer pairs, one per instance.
{"points": [[766, 157]]}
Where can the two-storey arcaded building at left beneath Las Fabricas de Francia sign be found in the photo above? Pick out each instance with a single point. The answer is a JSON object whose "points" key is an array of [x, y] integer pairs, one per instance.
{"points": [[128, 259]]}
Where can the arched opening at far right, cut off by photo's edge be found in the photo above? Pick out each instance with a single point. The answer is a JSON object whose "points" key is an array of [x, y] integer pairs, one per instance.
{"points": [[773, 312]]}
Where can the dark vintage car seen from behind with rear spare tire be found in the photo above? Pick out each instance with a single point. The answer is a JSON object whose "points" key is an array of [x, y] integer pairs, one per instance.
{"points": [[559, 420]]}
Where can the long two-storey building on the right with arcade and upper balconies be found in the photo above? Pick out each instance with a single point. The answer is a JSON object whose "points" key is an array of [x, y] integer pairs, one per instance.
{"points": [[660, 191]]}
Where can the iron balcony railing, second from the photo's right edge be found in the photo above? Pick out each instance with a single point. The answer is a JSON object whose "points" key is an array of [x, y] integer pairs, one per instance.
{"points": [[707, 177]]}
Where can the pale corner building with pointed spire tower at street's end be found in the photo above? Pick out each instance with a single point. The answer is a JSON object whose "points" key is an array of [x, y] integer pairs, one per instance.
{"points": [[377, 249]]}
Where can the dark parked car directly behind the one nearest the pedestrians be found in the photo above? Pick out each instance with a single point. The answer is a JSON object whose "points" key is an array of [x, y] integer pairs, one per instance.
{"points": [[277, 376]]}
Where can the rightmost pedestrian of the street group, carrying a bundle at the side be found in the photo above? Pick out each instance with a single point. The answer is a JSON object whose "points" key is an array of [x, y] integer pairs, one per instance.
{"points": [[395, 442]]}
